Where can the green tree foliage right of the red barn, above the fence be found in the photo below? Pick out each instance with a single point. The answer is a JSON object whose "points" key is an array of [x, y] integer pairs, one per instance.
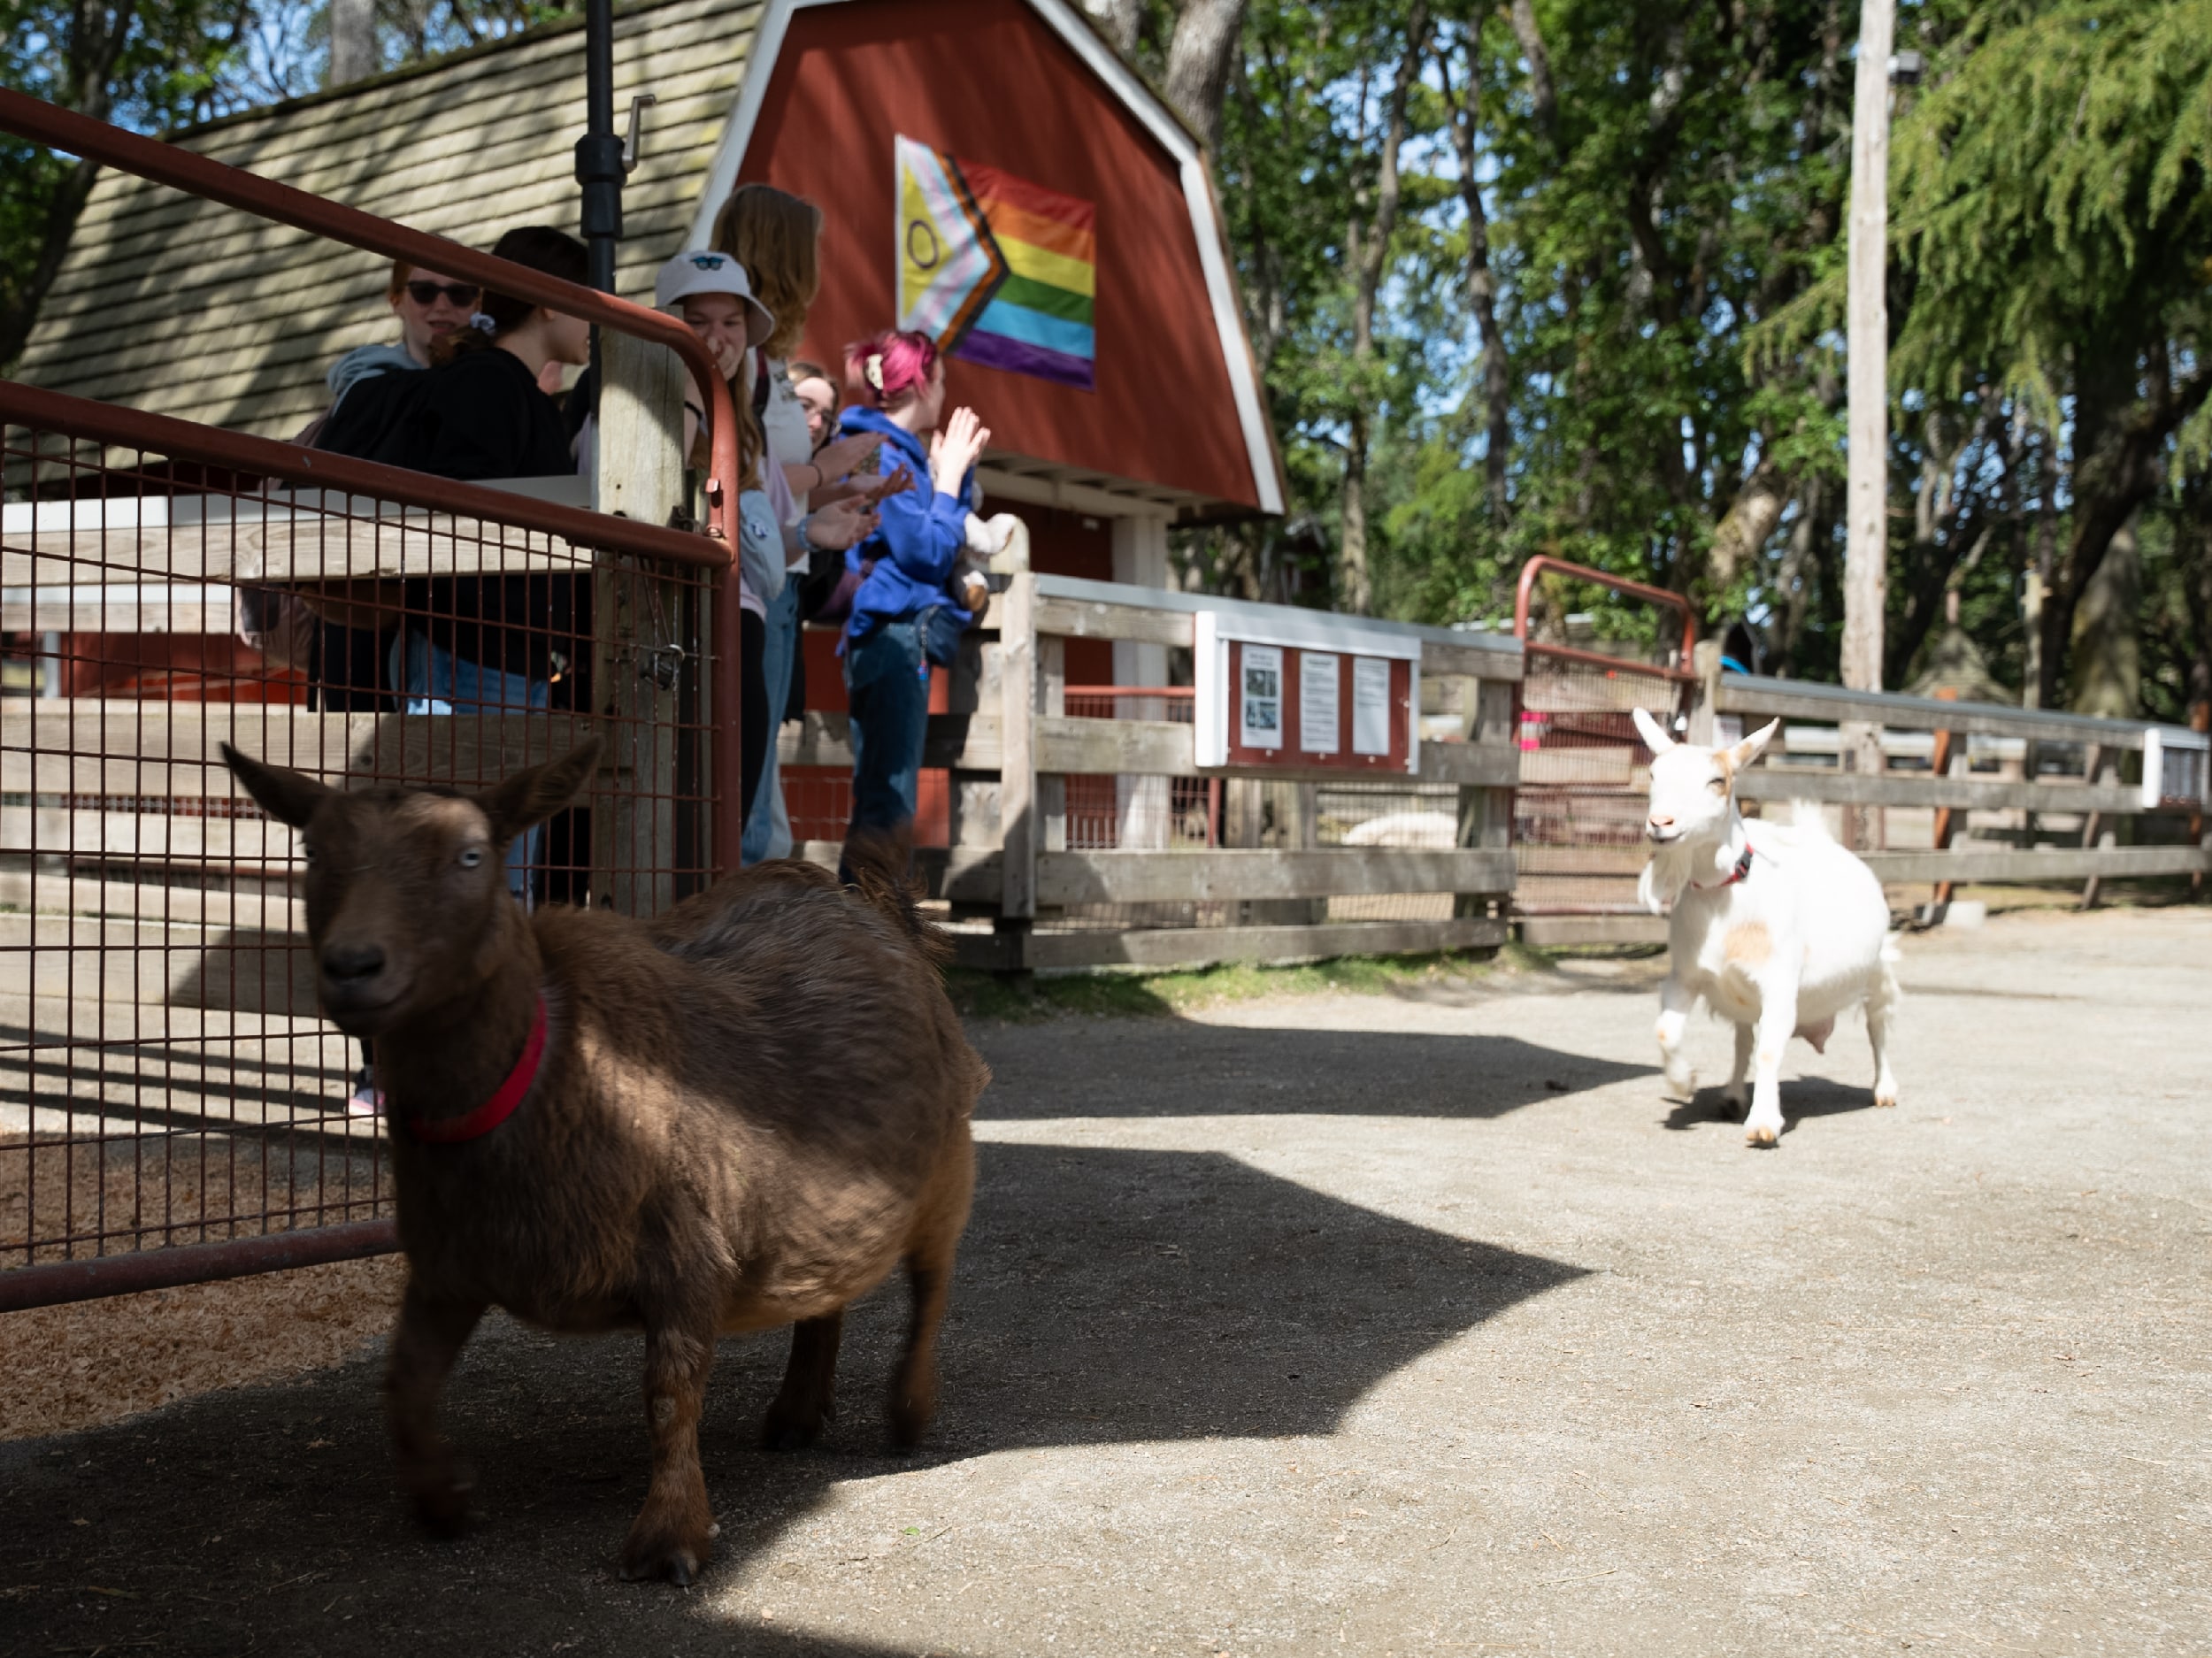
{"points": [[1665, 204]]}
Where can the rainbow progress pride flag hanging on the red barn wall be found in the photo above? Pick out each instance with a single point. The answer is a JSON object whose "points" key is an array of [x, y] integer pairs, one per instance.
{"points": [[999, 271]]}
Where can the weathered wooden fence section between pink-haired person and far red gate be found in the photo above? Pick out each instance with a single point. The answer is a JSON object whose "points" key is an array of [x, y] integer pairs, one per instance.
{"points": [[1025, 899]]}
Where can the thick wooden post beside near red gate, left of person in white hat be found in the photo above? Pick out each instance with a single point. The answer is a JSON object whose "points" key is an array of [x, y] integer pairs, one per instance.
{"points": [[636, 673]]}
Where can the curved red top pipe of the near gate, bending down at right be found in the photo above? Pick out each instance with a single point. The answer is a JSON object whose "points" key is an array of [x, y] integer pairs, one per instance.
{"points": [[200, 176]]}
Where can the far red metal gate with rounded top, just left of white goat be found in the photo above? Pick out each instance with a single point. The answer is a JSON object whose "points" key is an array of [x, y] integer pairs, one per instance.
{"points": [[1578, 810]]}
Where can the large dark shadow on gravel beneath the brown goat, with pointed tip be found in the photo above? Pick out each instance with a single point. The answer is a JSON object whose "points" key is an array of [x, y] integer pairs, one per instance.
{"points": [[1103, 1297]]}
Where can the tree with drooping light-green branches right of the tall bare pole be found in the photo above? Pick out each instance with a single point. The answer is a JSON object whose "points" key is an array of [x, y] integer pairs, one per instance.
{"points": [[2054, 229]]}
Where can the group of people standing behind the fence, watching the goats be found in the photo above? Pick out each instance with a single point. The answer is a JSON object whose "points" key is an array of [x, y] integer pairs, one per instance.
{"points": [[855, 512]]}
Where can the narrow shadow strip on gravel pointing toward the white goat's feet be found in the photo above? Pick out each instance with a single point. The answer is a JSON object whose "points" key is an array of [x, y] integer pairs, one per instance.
{"points": [[1112, 1069]]}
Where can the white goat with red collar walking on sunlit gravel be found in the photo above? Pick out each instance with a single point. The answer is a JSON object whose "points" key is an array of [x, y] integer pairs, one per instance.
{"points": [[1780, 930]]}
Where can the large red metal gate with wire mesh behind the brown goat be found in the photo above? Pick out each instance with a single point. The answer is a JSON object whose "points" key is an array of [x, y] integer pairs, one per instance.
{"points": [[171, 1104]]}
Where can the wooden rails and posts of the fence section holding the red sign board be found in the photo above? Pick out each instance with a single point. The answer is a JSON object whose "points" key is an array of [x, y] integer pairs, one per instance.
{"points": [[1036, 746]]}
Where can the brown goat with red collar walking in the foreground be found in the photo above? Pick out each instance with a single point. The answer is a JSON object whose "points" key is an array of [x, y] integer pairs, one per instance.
{"points": [[744, 1115]]}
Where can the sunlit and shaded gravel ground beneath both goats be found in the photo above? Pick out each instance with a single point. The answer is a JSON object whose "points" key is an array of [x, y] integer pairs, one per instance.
{"points": [[1355, 1325]]}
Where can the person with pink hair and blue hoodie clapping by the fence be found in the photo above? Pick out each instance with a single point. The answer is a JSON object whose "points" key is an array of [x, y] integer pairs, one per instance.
{"points": [[904, 611]]}
